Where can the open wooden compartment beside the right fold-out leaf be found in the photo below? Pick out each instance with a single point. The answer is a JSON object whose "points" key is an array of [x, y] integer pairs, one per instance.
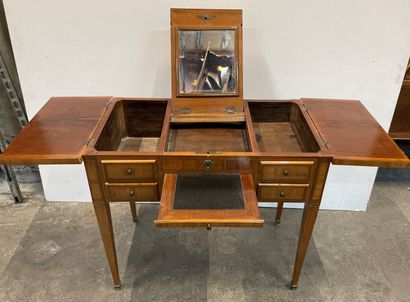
{"points": [[281, 127]]}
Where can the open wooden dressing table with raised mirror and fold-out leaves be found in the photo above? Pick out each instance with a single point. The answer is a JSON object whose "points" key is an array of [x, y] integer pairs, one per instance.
{"points": [[205, 138]]}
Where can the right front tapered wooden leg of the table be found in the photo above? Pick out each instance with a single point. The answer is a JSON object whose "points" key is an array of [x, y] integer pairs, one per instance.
{"points": [[308, 221]]}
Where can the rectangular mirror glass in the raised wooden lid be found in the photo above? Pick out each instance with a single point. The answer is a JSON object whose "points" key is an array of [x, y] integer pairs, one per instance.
{"points": [[207, 62]]}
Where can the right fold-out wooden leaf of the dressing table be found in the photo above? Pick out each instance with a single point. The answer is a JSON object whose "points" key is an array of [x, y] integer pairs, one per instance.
{"points": [[352, 134]]}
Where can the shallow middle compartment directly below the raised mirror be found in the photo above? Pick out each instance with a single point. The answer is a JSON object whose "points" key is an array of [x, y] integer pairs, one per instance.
{"points": [[208, 137]]}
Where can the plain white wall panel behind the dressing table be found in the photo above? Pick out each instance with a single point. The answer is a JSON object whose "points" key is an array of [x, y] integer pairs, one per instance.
{"points": [[292, 49]]}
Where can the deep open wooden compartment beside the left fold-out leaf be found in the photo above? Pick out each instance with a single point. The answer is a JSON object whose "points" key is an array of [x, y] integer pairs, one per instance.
{"points": [[133, 126]]}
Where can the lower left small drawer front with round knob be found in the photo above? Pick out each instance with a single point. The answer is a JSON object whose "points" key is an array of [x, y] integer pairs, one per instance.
{"points": [[131, 192]]}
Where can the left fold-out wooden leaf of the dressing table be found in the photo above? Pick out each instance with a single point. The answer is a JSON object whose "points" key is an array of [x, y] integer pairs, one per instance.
{"points": [[58, 132]]}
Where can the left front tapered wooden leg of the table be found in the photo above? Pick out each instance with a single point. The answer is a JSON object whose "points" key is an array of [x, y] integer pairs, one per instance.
{"points": [[103, 213]]}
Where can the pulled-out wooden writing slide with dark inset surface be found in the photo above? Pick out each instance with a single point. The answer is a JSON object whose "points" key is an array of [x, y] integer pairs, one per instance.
{"points": [[208, 200]]}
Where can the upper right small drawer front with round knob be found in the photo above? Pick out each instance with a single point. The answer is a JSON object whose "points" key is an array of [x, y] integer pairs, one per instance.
{"points": [[278, 171]]}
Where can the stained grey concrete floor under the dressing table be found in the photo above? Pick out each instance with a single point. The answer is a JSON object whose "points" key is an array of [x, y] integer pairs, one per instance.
{"points": [[51, 251]]}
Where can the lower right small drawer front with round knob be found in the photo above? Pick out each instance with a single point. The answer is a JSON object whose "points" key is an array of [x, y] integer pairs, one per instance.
{"points": [[282, 192]]}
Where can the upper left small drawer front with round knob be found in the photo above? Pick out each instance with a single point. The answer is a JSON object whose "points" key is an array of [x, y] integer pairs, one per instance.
{"points": [[129, 170]]}
